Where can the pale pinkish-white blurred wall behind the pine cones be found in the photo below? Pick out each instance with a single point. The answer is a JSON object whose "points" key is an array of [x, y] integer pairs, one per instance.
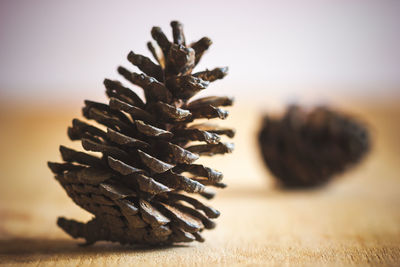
{"points": [[60, 51]]}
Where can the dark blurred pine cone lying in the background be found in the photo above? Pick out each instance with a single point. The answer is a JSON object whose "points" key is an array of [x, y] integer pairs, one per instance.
{"points": [[305, 149]]}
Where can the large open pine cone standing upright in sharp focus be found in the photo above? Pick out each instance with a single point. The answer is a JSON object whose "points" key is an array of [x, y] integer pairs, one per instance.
{"points": [[136, 189]]}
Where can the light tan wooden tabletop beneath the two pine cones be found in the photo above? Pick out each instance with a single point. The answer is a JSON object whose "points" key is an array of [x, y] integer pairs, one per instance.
{"points": [[355, 220]]}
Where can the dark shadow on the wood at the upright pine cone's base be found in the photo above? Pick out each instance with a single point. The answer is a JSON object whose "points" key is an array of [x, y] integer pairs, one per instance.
{"points": [[31, 249]]}
